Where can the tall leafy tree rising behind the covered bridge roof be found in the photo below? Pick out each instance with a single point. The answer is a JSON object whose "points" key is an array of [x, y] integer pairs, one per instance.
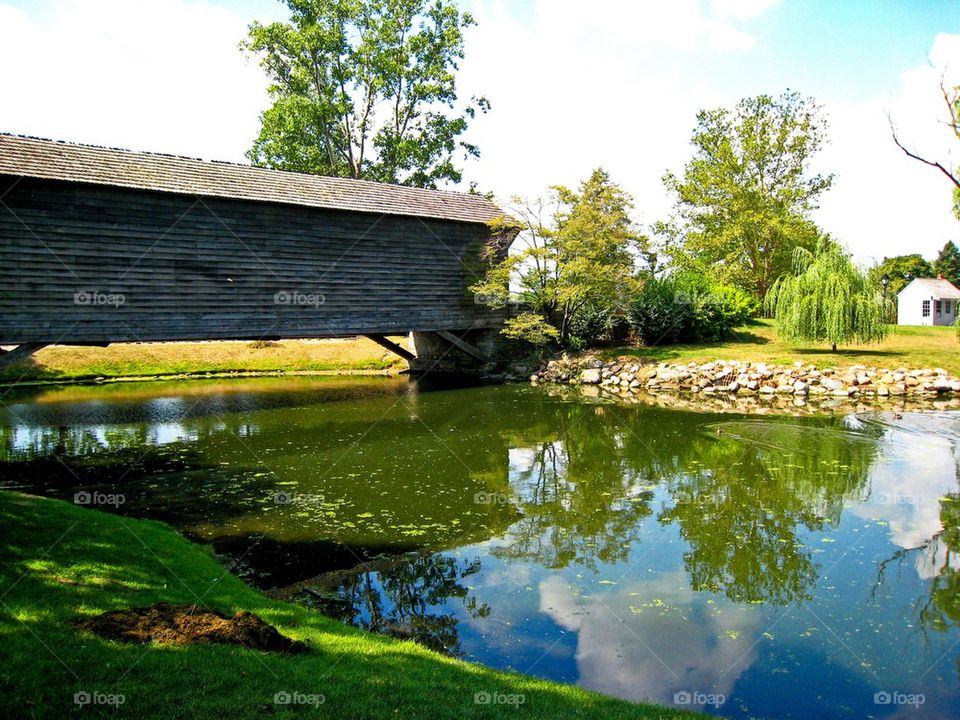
{"points": [[364, 89]]}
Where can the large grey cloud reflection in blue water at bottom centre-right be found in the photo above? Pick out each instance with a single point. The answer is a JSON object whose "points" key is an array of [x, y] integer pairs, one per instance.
{"points": [[652, 639]]}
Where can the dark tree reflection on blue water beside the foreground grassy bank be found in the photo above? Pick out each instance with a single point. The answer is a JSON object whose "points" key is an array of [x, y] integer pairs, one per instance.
{"points": [[401, 597]]}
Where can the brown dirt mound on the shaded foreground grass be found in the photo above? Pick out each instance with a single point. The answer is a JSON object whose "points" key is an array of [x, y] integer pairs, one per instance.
{"points": [[185, 624]]}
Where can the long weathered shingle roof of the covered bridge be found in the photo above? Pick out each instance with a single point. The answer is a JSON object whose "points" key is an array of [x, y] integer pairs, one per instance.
{"points": [[55, 160]]}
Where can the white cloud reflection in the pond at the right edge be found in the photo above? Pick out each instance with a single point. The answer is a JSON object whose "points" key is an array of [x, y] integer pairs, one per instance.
{"points": [[906, 484]]}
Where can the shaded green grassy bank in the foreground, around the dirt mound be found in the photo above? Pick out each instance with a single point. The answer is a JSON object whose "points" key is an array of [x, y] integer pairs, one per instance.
{"points": [[60, 561]]}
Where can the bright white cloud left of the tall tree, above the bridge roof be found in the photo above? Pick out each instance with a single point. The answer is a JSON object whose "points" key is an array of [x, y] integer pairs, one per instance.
{"points": [[162, 75]]}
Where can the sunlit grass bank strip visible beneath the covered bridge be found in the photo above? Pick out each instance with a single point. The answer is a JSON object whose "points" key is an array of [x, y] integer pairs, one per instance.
{"points": [[61, 362]]}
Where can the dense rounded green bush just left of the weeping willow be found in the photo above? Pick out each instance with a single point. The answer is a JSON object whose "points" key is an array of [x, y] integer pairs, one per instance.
{"points": [[688, 308]]}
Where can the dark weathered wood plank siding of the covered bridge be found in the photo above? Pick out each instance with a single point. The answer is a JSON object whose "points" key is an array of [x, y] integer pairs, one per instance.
{"points": [[85, 264]]}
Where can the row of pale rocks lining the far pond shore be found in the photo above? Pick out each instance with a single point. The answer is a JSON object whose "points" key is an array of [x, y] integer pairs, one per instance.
{"points": [[741, 377]]}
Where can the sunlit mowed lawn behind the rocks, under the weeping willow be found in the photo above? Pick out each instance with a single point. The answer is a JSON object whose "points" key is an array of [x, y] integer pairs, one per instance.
{"points": [[905, 346]]}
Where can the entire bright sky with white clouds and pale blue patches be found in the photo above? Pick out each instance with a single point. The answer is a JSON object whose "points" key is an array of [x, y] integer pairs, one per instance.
{"points": [[573, 85]]}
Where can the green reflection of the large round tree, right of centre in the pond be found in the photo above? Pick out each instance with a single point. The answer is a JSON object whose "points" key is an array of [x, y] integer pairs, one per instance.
{"points": [[741, 509]]}
